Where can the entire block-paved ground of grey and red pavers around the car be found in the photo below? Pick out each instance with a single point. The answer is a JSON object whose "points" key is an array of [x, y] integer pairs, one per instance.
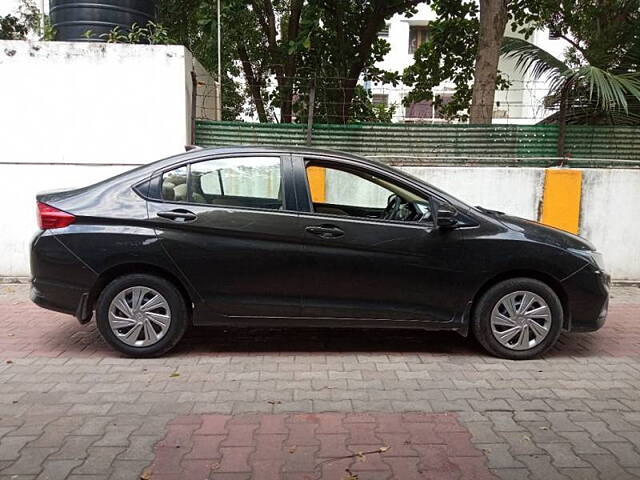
{"points": [[313, 403]]}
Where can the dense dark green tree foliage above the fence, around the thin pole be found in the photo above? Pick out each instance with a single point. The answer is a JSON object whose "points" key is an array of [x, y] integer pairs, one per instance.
{"points": [[281, 47]]}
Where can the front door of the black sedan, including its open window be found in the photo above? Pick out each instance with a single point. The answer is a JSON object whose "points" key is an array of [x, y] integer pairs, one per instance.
{"points": [[371, 251]]}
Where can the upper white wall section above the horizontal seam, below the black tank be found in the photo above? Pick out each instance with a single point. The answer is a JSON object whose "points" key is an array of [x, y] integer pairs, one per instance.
{"points": [[93, 103]]}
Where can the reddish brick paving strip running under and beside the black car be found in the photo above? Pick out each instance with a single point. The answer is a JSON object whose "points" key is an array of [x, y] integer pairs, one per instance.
{"points": [[29, 331]]}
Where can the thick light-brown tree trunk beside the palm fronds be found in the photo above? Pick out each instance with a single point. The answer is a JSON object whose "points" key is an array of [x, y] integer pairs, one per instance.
{"points": [[493, 20]]}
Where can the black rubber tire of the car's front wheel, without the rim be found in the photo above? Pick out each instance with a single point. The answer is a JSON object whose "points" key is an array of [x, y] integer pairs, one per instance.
{"points": [[481, 321]]}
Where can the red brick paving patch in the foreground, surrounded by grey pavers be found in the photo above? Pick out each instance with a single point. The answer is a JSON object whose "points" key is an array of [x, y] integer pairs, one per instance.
{"points": [[329, 446]]}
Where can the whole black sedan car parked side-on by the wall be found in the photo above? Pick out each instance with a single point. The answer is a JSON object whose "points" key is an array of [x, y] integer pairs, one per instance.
{"points": [[301, 237]]}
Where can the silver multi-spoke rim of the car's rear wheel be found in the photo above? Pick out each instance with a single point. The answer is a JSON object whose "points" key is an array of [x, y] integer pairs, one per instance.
{"points": [[139, 316]]}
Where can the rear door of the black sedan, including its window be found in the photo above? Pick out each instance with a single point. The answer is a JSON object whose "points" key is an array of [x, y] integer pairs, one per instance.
{"points": [[229, 224]]}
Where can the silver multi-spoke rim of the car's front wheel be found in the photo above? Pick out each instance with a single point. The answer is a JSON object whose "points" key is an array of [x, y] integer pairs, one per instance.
{"points": [[520, 320]]}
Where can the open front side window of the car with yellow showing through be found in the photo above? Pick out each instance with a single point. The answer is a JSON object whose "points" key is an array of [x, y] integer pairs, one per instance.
{"points": [[357, 193]]}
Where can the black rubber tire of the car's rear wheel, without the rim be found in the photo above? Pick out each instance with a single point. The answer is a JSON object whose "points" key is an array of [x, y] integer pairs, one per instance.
{"points": [[179, 314]]}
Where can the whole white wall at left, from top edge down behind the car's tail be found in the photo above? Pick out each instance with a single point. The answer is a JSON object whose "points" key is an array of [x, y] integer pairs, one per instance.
{"points": [[75, 113]]}
